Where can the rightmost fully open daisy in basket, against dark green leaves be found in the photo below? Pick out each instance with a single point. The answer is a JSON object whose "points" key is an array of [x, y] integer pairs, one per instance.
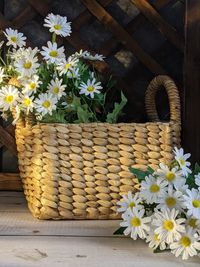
{"points": [[90, 87]]}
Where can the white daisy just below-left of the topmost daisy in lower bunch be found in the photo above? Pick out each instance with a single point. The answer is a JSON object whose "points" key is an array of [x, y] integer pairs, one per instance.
{"points": [[172, 177]]}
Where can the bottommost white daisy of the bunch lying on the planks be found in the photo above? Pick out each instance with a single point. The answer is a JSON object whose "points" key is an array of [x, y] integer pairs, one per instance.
{"points": [[186, 246]]}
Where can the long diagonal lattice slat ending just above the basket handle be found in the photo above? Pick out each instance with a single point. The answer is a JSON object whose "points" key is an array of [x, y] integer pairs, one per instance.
{"points": [[123, 36]]}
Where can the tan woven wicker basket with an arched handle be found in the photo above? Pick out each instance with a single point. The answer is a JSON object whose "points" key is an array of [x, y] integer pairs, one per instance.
{"points": [[80, 171]]}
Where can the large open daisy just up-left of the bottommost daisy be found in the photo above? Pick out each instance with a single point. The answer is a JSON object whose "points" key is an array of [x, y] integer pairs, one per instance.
{"points": [[168, 227]]}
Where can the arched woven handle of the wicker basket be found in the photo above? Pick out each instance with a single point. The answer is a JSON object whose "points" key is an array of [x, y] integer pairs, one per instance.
{"points": [[173, 95]]}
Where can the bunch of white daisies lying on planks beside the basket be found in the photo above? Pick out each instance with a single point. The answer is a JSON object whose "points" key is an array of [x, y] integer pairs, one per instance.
{"points": [[166, 211]]}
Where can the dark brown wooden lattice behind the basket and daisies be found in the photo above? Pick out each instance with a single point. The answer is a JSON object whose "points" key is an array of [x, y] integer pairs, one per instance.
{"points": [[140, 39]]}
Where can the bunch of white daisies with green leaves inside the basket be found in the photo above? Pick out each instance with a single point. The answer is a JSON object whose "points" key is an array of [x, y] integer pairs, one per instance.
{"points": [[48, 84]]}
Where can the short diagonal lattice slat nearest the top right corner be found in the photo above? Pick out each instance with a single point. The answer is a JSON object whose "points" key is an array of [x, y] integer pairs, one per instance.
{"points": [[165, 28]]}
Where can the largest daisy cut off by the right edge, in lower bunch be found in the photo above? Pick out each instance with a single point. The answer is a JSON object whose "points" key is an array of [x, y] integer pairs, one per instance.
{"points": [[192, 202]]}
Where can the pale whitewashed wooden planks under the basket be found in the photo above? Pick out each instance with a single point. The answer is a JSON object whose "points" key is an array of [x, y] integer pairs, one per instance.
{"points": [[25, 241]]}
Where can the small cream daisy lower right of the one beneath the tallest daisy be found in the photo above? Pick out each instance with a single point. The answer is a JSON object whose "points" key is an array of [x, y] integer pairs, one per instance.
{"points": [[67, 66]]}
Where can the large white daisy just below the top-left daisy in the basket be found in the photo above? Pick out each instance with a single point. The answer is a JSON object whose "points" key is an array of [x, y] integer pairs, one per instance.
{"points": [[27, 64]]}
